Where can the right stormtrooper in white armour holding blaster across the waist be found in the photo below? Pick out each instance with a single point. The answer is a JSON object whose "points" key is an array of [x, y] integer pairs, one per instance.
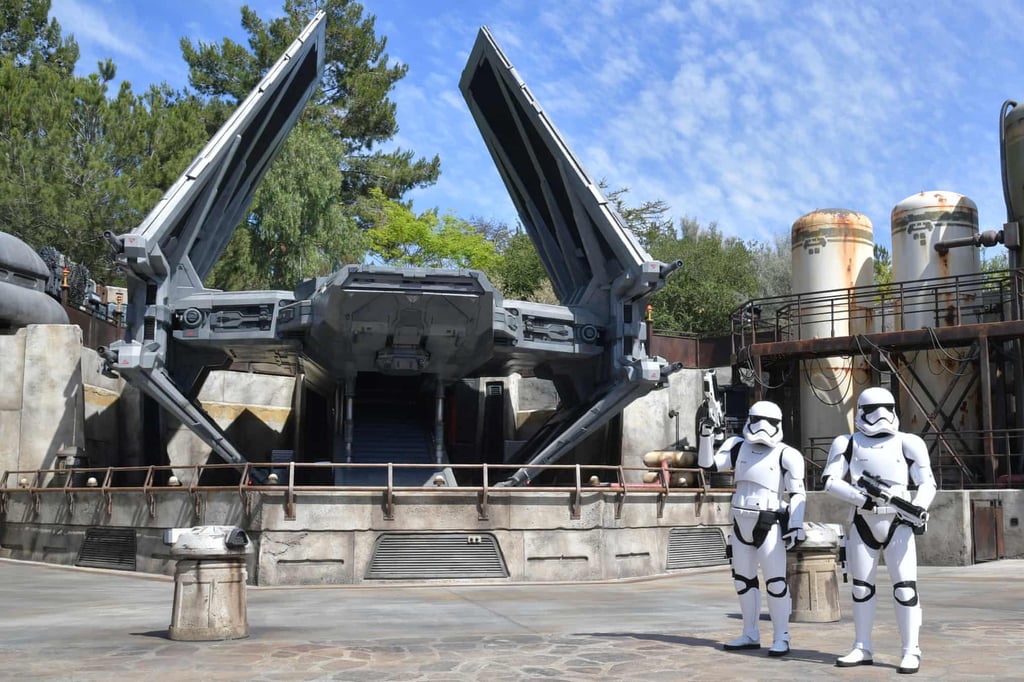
{"points": [[878, 457]]}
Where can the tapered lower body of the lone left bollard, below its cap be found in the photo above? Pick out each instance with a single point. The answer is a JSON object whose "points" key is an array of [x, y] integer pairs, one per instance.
{"points": [[209, 601]]}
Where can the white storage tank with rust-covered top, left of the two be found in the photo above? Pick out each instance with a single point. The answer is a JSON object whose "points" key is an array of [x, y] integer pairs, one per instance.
{"points": [[833, 252]]}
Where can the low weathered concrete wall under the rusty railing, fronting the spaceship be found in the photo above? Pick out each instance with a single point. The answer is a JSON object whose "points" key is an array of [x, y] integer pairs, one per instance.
{"points": [[332, 536]]}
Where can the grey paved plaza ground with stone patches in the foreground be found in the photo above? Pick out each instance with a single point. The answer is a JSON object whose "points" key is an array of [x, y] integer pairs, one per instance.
{"points": [[73, 624]]}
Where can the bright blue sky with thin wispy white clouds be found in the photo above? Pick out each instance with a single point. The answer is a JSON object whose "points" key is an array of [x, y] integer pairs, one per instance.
{"points": [[746, 113]]}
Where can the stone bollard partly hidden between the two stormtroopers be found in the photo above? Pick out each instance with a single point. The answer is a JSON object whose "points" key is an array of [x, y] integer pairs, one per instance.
{"points": [[812, 569]]}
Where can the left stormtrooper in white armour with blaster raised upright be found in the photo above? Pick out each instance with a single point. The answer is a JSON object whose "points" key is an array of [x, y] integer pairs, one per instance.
{"points": [[764, 526]]}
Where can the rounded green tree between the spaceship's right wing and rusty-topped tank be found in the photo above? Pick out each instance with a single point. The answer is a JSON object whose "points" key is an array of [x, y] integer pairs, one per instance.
{"points": [[717, 276]]}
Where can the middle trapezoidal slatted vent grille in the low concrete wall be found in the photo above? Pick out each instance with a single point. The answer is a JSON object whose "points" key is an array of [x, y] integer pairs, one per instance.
{"points": [[437, 557]]}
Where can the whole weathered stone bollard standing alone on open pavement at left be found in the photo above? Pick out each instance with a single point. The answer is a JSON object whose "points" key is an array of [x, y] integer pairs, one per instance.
{"points": [[209, 583]]}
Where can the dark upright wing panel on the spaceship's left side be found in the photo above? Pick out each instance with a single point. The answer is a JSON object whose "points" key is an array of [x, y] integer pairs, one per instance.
{"points": [[198, 216]]}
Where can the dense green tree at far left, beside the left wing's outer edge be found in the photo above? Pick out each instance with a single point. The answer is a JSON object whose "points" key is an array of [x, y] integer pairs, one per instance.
{"points": [[78, 160]]}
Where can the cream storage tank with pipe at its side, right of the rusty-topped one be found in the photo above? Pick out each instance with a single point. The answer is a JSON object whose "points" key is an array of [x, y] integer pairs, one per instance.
{"points": [[930, 300]]}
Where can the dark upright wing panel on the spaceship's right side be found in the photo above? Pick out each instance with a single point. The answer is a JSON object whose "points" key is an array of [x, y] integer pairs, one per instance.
{"points": [[579, 237]]}
